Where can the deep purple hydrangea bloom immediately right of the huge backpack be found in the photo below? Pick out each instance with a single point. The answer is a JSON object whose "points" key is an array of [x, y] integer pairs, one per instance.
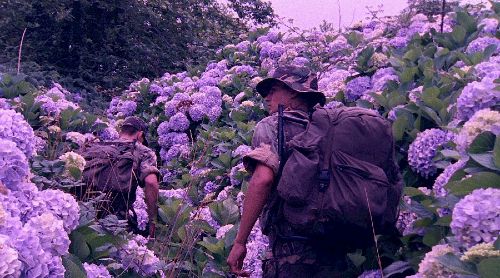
{"points": [[422, 151]]}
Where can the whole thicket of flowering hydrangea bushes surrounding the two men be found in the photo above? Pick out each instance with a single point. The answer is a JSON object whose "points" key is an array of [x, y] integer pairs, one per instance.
{"points": [[440, 90]]}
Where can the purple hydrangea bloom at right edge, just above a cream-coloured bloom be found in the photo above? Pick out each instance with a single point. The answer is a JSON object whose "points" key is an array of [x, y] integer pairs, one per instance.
{"points": [[476, 96]]}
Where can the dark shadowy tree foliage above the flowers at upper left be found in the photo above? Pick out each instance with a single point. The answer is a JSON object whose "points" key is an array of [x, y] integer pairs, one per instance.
{"points": [[110, 44]]}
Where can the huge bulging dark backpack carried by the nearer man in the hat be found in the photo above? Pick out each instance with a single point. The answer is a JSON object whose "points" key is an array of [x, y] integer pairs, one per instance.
{"points": [[340, 178]]}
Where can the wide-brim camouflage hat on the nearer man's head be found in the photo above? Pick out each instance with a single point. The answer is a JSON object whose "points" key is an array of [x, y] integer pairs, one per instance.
{"points": [[299, 79]]}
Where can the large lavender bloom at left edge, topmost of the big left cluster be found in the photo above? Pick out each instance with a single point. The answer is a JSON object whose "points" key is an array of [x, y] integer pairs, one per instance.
{"points": [[13, 127]]}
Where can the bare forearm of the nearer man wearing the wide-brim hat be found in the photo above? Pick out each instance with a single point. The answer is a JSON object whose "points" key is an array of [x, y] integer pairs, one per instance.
{"points": [[255, 198]]}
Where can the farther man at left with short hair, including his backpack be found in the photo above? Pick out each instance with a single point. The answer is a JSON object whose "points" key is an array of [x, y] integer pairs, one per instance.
{"points": [[118, 167]]}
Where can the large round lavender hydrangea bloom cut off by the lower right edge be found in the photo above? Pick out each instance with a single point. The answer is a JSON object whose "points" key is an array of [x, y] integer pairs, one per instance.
{"points": [[476, 218]]}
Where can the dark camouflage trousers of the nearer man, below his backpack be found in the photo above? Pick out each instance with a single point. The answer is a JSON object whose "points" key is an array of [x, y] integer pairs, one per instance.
{"points": [[302, 259]]}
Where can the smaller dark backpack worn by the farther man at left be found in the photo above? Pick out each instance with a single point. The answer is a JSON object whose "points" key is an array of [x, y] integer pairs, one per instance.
{"points": [[112, 168]]}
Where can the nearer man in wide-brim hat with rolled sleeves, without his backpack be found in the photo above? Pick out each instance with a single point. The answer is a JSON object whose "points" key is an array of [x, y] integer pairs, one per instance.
{"points": [[296, 88]]}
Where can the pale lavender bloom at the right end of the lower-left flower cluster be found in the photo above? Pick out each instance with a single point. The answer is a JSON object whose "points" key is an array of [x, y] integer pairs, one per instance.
{"points": [[63, 206]]}
